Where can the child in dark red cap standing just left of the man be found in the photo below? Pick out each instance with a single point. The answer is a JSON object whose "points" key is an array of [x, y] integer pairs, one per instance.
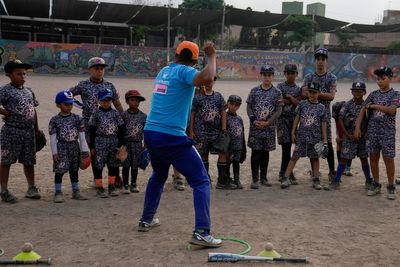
{"points": [[134, 120]]}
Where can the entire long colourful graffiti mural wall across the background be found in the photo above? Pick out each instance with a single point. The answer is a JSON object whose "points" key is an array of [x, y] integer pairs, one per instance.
{"points": [[54, 58]]}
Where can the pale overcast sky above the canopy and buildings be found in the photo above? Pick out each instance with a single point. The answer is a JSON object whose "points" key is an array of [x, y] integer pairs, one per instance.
{"points": [[355, 11]]}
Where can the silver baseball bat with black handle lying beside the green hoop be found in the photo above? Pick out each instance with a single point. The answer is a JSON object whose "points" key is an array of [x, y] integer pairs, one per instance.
{"points": [[230, 257]]}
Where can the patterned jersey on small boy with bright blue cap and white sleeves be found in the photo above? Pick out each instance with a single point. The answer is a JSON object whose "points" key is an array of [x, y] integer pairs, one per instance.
{"points": [[66, 128]]}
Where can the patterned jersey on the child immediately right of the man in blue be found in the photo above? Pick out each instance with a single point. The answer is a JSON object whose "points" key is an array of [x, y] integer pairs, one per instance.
{"points": [[208, 110]]}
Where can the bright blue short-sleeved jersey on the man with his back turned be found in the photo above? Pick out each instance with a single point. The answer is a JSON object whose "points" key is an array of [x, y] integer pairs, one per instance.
{"points": [[171, 100]]}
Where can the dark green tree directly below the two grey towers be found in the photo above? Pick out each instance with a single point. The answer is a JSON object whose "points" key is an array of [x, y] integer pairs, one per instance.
{"points": [[301, 27]]}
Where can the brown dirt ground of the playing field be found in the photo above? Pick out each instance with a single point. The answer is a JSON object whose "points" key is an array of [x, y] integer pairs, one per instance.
{"points": [[341, 228]]}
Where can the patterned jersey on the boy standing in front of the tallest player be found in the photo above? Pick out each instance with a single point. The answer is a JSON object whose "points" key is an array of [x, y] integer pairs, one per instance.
{"points": [[311, 117]]}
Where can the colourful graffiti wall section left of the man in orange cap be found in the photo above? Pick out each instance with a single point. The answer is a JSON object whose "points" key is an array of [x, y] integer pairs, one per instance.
{"points": [[53, 58]]}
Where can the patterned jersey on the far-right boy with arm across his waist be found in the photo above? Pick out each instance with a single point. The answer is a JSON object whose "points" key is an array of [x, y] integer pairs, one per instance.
{"points": [[382, 123]]}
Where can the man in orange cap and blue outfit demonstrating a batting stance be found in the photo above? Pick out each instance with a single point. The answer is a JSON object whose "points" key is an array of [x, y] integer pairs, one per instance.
{"points": [[165, 137]]}
